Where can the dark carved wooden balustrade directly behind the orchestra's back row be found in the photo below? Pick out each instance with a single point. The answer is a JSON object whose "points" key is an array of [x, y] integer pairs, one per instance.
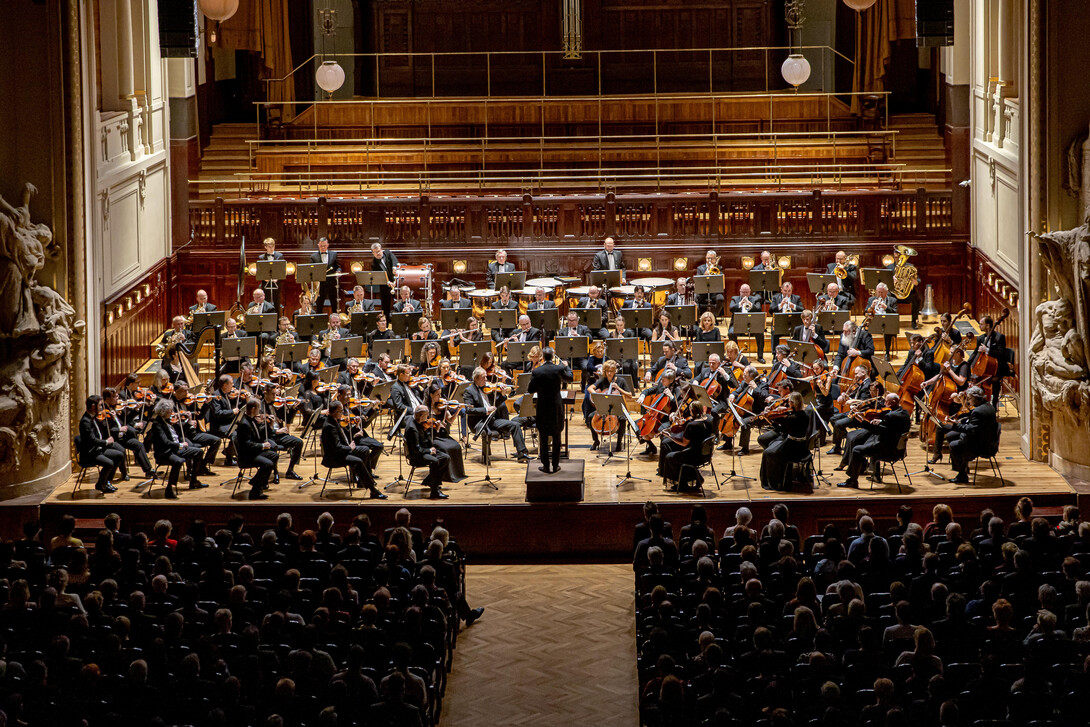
{"points": [[699, 219]]}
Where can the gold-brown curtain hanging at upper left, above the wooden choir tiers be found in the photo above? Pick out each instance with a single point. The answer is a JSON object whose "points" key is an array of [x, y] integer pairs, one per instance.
{"points": [[262, 27]]}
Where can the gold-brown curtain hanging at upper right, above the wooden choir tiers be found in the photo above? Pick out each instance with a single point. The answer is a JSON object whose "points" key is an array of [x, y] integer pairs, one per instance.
{"points": [[877, 29]]}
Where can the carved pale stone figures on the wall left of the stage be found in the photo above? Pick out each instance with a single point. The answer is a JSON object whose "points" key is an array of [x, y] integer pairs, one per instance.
{"points": [[37, 332]]}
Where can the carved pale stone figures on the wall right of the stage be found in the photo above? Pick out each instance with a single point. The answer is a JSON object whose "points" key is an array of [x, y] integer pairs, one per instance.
{"points": [[1059, 353]]}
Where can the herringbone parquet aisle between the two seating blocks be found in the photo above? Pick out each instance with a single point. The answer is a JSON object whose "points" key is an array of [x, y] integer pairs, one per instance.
{"points": [[555, 647]]}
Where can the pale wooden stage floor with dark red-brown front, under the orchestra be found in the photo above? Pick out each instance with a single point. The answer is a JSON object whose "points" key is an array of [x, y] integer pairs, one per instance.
{"points": [[500, 526]]}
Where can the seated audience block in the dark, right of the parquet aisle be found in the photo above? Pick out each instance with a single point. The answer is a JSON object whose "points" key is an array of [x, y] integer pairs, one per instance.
{"points": [[925, 626]]}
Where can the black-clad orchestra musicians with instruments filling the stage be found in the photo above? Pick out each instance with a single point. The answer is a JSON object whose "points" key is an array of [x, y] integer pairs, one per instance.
{"points": [[446, 401]]}
